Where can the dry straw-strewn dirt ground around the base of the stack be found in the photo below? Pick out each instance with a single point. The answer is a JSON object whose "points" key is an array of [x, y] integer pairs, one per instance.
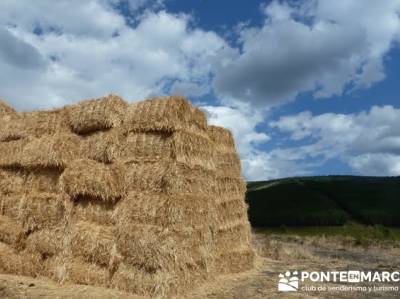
{"points": [[277, 254]]}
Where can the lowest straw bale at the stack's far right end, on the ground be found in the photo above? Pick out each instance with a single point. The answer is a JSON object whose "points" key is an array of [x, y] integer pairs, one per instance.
{"points": [[235, 261]]}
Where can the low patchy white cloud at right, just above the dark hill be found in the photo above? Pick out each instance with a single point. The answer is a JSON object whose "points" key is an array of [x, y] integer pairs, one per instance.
{"points": [[369, 142]]}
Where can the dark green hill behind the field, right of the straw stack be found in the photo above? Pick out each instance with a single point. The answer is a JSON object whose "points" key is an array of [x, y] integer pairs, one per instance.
{"points": [[327, 200]]}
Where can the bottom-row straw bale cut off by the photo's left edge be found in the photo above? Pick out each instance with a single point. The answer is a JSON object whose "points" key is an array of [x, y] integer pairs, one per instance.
{"points": [[18, 263]]}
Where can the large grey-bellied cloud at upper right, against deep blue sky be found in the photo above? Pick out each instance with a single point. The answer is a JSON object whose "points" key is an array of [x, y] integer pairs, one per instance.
{"points": [[321, 47]]}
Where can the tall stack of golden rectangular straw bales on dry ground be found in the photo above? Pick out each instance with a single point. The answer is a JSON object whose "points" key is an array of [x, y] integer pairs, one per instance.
{"points": [[145, 198]]}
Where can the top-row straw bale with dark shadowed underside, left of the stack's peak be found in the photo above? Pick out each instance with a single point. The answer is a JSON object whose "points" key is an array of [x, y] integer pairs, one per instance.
{"points": [[97, 114]]}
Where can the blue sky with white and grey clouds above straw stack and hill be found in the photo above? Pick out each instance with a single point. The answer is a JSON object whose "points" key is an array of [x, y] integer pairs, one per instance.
{"points": [[307, 87]]}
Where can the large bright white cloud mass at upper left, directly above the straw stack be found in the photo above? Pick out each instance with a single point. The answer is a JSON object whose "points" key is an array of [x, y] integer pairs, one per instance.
{"points": [[87, 56]]}
